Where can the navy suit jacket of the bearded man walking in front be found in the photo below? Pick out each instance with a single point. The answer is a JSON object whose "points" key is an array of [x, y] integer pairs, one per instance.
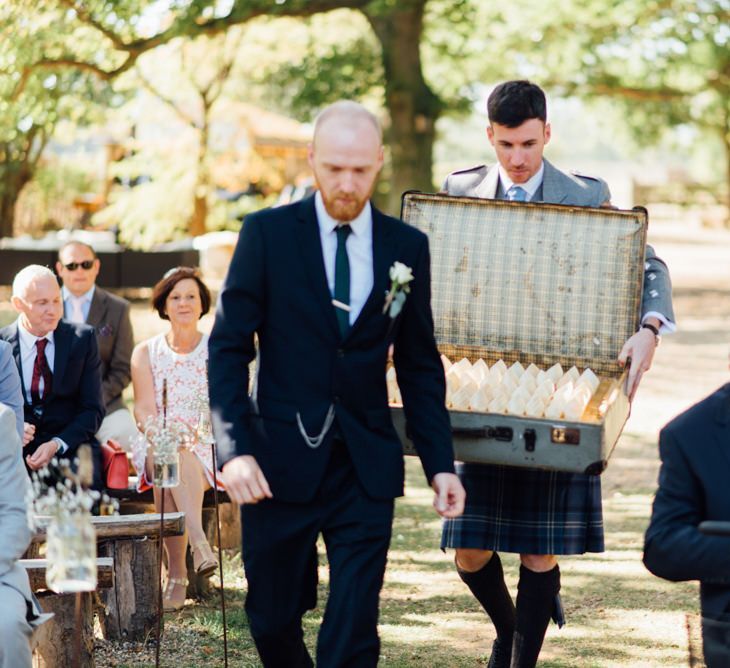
{"points": [[276, 289]]}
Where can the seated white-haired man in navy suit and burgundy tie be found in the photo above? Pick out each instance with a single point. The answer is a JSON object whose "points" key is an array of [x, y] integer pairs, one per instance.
{"points": [[59, 370]]}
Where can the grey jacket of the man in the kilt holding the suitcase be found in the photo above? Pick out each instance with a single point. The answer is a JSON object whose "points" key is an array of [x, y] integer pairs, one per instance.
{"points": [[576, 190]]}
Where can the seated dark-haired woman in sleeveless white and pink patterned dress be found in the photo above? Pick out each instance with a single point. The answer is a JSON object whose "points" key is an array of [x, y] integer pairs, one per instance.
{"points": [[178, 361]]}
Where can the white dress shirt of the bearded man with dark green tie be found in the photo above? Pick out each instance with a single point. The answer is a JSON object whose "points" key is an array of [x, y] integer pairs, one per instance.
{"points": [[359, 247]]}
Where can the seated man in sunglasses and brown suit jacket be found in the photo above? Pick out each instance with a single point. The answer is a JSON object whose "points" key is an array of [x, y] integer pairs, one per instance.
{"points": [[85, 302]]}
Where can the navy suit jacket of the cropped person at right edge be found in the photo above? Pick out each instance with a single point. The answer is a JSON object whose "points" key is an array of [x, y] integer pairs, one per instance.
{"points": [[694, 485]]}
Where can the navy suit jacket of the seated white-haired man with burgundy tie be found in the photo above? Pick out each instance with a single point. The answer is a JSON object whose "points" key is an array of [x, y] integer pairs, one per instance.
{"points": [[74, 409]]}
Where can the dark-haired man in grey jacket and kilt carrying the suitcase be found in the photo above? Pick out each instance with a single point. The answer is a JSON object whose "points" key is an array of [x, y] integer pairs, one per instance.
{"points": [[537, 514]]}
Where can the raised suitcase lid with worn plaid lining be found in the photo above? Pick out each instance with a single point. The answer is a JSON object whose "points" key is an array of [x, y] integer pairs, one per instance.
{"points": [[541, 283]]}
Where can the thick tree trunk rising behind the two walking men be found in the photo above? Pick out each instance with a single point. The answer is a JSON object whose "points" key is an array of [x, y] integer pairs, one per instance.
{"points": [[413, 107]]}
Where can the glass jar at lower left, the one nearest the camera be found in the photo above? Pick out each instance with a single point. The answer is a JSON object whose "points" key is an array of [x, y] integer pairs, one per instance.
{"points": [[71, 553]]}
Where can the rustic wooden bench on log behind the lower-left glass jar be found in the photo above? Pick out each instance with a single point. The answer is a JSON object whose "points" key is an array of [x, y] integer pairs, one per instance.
{"points": [[56, 640]]}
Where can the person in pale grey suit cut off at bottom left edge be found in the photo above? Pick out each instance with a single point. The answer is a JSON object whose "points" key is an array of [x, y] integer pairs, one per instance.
{"points": [[20, 611]]}
